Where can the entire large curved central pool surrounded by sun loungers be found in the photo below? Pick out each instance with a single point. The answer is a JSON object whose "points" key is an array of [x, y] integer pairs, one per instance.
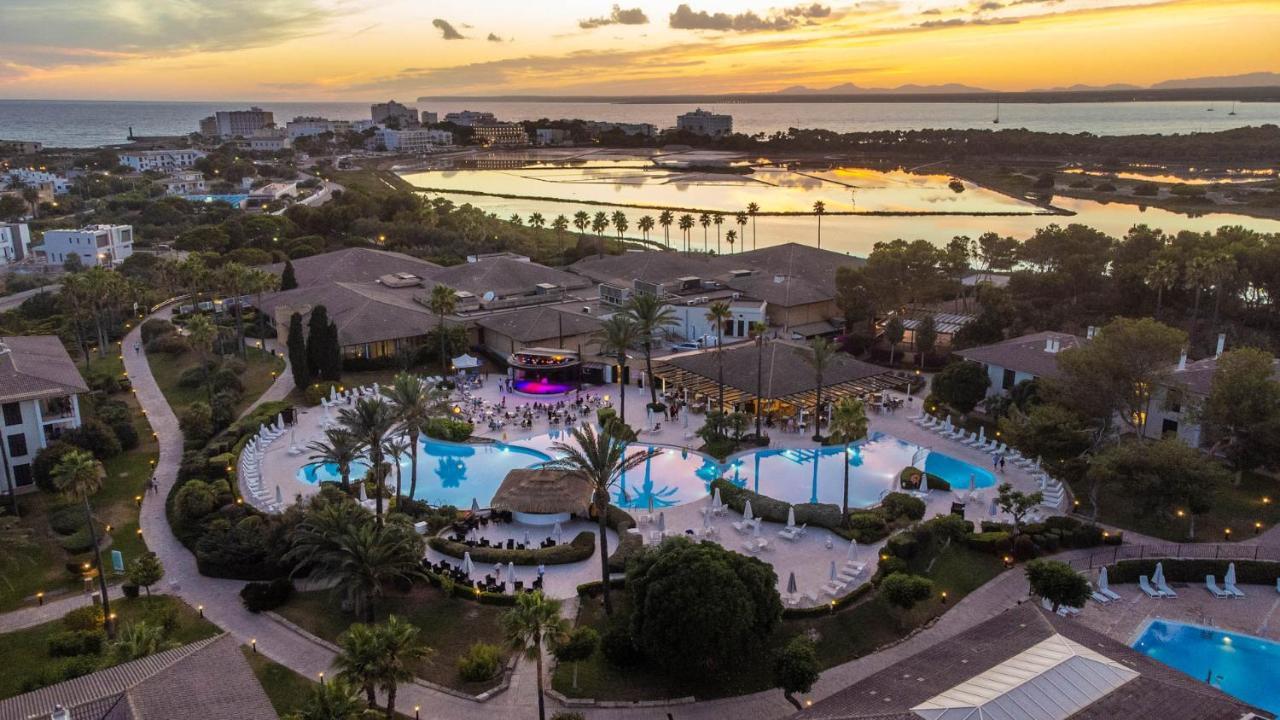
{"points": [[455, 473]]}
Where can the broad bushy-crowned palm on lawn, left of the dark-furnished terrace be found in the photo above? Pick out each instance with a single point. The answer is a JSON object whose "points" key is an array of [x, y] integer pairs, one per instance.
{"points": [[358, 559]]}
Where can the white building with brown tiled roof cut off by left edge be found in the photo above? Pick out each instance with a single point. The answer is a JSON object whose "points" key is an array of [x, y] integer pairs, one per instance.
{"points": [[39, 389]]}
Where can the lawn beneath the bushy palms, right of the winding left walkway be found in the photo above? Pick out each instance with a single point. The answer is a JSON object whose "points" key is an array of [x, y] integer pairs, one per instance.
{"points": [[449, 626]]}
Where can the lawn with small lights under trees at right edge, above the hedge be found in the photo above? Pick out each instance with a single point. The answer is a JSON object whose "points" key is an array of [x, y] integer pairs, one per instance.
{"points": [[1236, 507]]}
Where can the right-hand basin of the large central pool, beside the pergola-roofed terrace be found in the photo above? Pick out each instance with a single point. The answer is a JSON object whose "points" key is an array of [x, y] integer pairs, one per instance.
{"points": [[819, 475]]}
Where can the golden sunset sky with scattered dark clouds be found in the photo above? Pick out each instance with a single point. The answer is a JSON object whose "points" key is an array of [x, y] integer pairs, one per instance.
{"points": [[377, 49]]}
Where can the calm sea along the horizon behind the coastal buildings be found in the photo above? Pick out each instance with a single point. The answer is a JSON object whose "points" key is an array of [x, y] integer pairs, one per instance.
{"points": [[70, 124]]}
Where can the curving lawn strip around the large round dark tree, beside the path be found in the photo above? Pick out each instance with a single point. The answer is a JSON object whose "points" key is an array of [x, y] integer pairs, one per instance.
{"points": [[844, 636]]}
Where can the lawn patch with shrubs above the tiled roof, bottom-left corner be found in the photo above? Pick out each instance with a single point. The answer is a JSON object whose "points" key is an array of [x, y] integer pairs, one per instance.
{"points": [[25, 654]]}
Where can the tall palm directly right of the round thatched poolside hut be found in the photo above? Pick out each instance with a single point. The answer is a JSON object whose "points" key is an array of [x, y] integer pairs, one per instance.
{"points": [[602, 459]]}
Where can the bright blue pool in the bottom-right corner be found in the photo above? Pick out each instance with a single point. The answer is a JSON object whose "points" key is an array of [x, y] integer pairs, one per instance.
{"points": [[1244, 667]]}
